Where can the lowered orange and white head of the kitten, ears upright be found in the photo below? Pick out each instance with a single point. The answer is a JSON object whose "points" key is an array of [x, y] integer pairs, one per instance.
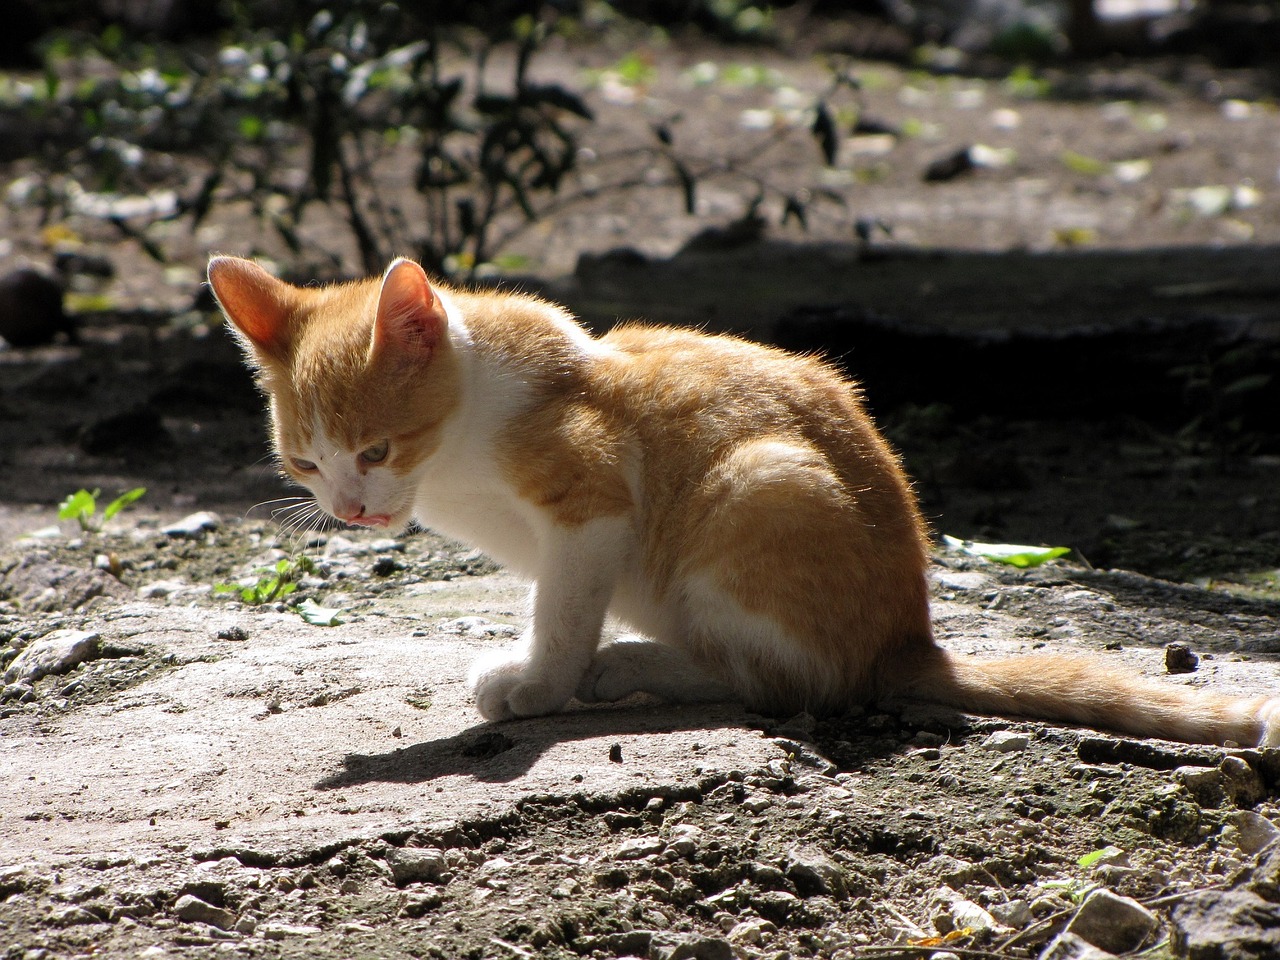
{"points": [[360, 380]]}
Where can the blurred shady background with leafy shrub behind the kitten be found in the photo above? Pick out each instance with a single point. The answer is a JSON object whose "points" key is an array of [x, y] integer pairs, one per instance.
{"points": [[1044, 236]]}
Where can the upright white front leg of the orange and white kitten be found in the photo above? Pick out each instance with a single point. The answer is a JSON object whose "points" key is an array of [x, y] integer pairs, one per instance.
{"points": [[578, 572]]}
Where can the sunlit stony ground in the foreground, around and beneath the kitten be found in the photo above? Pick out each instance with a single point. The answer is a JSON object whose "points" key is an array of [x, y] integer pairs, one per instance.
{"points": [[190, 774]]}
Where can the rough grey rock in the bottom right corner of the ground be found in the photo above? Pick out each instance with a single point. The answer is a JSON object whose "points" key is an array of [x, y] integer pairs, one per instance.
{"points": [[1226, 925]]}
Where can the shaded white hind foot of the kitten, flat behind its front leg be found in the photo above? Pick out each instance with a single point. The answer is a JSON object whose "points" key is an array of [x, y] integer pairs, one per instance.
{"points": [[632, 665]]}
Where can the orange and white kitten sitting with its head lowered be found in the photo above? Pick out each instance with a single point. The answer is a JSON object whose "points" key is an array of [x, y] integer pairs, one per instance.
{"points": [[730, 502]]}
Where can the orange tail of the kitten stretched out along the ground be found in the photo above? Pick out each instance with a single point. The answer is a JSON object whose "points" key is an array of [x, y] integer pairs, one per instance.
{"points": [[1081, 691]]}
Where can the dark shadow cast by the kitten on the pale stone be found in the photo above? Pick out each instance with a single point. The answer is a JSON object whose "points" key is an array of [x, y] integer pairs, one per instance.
{"points": [[500, 753]]}
